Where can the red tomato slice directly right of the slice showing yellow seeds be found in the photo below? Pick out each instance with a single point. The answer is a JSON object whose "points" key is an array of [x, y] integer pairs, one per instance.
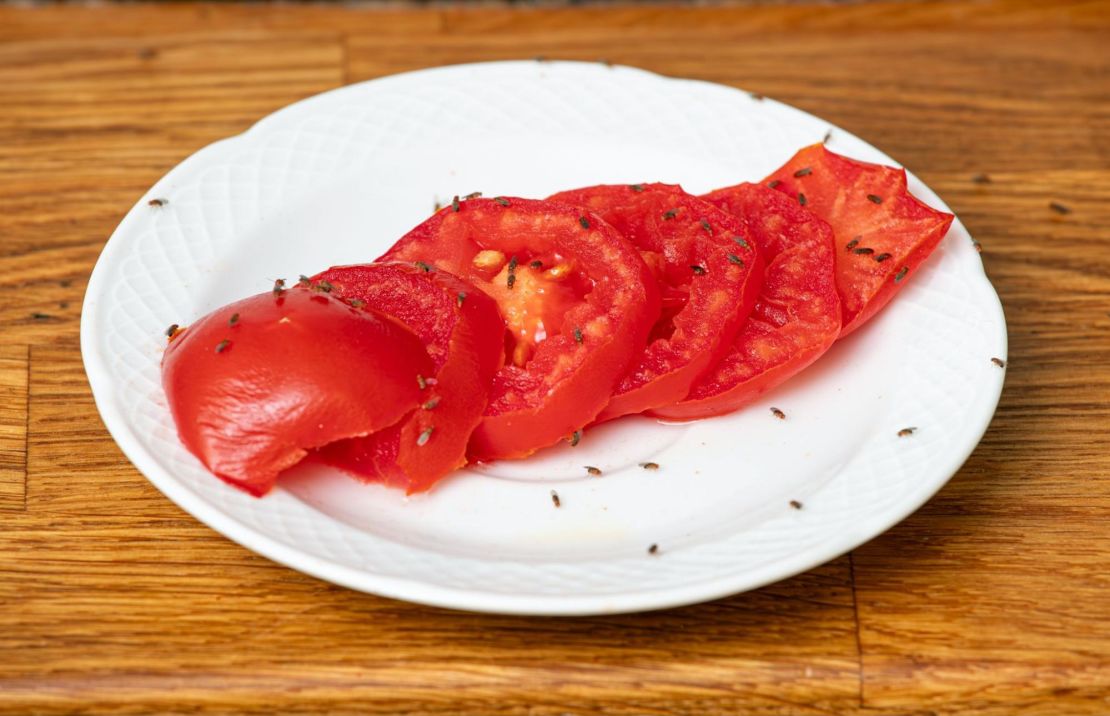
{"points": [[709, 275]]}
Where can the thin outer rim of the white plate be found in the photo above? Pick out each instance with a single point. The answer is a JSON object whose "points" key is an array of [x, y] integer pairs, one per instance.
{"points": [[417, 591]]}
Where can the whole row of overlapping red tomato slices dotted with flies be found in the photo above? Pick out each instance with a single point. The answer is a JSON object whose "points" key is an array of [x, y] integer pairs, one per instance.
{"points": [[500, 327]]}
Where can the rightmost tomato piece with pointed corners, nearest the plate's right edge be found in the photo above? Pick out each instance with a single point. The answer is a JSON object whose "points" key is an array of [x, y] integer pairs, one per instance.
{"points": [[883, 233]]}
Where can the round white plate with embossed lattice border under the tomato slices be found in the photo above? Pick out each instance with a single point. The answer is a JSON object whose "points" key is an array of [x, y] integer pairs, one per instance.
{"points": [[337, 178]]}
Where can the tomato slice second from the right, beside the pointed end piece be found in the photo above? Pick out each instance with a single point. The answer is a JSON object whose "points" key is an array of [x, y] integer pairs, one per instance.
{"points": [[798, 316]]}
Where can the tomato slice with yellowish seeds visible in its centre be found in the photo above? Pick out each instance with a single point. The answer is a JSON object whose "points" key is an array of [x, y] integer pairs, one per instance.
{"points": [[578, 301]]}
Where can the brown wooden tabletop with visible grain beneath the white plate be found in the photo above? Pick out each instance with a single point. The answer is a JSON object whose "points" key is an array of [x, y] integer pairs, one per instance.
{"points": [[994, 599]]}
